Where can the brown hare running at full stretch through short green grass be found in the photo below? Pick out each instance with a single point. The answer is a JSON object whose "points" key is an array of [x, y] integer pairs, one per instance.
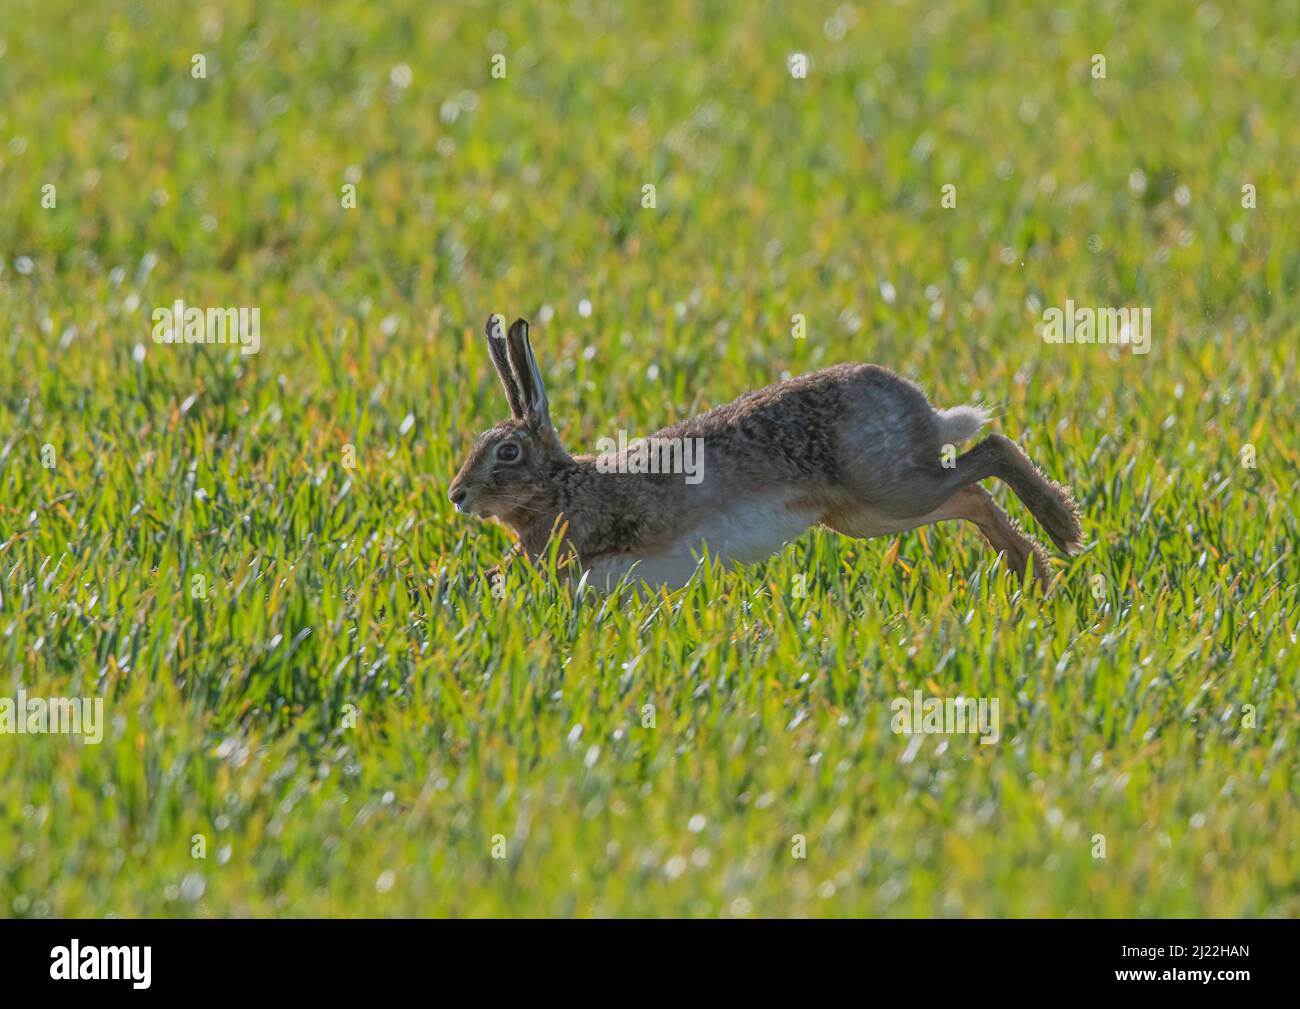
{"points": [[853, 447]]}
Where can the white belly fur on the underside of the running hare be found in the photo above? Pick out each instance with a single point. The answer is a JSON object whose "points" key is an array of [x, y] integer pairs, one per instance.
{"points": [[747, 534]]}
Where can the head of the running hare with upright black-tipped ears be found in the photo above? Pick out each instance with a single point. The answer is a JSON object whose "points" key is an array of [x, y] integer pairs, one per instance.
{"points": [[512, 467]]}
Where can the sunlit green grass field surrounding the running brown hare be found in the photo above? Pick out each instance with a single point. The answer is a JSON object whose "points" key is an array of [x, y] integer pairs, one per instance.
{"points": [[335, 744]]}
